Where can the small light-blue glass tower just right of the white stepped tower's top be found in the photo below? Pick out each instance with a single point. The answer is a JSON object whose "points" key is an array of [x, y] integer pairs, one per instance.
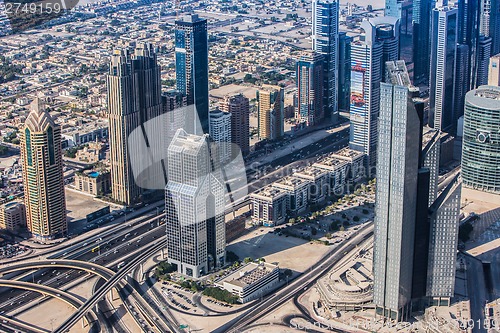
{"points": [[220, 133]]}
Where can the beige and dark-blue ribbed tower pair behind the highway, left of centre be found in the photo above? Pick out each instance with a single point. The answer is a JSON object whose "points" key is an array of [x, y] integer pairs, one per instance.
{"points": [[134, 97]]}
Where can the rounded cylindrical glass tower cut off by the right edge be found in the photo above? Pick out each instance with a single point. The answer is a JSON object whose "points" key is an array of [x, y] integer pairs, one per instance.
{"points": [[480, 150]]}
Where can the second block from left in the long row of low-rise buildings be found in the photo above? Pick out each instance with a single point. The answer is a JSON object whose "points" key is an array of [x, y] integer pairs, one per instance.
{"points": [[298, 192]]}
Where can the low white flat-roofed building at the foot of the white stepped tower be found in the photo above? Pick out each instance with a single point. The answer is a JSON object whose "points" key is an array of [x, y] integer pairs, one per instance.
{"points": [[251, 281]]}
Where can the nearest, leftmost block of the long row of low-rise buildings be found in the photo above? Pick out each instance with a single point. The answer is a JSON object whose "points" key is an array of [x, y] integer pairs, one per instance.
{"points": [[269, 206]]}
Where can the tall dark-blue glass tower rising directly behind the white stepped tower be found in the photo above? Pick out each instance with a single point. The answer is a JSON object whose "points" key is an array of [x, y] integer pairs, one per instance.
{"points": [[191, 68]]}
